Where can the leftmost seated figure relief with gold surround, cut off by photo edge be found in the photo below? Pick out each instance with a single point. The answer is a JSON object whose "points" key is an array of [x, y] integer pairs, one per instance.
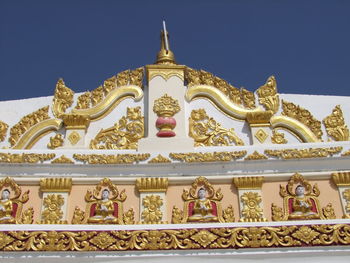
{"points": [[11, 202]]}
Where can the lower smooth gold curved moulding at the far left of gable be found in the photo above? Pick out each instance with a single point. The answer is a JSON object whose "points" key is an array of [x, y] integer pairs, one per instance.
{"points": [[36, 132]]}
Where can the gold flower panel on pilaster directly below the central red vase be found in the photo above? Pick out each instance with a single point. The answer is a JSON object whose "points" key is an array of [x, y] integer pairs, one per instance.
{"points": [[151, 213]]}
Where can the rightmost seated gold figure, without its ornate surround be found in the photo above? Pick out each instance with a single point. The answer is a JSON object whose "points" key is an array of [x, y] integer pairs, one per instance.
{"points": [[302, 206]]}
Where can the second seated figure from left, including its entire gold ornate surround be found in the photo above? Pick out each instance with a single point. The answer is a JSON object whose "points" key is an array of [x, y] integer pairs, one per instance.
{"points": [[104, 206]]}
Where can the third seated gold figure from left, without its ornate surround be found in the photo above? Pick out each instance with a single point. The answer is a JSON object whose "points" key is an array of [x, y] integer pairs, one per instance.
{"points": [[202, 209]]}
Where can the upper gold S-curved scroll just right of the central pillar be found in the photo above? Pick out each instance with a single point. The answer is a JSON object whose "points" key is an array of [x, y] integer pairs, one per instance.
{"points": [[219, 99]]}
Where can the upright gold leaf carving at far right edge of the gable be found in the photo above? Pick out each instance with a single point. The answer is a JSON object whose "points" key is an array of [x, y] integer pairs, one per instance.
{"points": [[335, 125]]}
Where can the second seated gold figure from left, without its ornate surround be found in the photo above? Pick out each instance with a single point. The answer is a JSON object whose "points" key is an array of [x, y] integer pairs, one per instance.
{"points": [[104, 211]]}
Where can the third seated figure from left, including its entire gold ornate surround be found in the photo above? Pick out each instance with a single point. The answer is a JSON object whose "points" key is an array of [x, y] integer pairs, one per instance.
{"points": [[202, 204]]}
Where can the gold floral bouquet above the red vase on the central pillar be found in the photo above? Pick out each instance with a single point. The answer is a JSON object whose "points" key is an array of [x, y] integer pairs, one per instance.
{"points": [[166, 106]]}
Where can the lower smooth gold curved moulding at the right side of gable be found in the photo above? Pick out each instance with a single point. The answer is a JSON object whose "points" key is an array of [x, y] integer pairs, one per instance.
{"points": [[295, 127]]}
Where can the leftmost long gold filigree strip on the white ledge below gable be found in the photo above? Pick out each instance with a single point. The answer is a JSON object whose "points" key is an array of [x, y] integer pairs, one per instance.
{"points": [[25, 157]]}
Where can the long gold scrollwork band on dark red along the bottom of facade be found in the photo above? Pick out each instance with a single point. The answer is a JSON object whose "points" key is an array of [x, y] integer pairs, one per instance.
{"points": [[178, 239]]}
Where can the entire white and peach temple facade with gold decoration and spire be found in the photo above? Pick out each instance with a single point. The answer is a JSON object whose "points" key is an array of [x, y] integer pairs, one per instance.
{"points": [[167, 162]]}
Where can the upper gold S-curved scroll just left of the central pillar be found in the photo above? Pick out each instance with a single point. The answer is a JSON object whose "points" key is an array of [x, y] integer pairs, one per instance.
{"points": [[111, 101]]}
